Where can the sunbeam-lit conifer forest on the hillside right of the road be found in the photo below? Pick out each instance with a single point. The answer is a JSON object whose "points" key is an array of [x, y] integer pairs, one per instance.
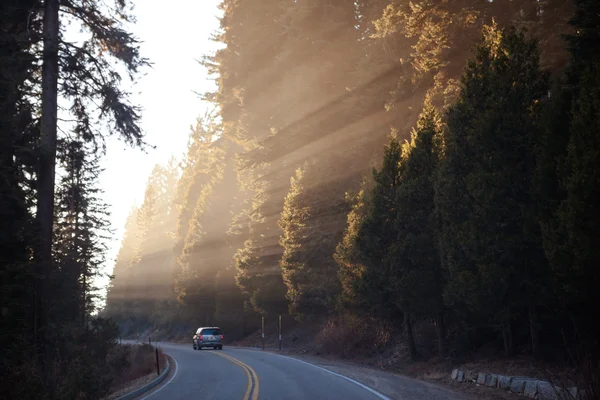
{"points": [[393, 162]]}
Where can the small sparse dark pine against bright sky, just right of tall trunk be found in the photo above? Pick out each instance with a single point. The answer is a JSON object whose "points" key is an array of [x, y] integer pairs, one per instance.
{"points": [[80, 232]]}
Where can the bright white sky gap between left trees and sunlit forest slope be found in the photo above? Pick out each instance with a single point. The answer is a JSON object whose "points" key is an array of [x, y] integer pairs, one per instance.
{"points": [[173, 37]]}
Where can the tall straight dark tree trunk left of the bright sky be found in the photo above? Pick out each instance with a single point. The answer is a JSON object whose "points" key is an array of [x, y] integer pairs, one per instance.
{"points": [[45, 178]]}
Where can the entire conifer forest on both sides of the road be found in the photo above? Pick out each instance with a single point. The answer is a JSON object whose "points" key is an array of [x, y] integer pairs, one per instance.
{"points": [[388, 163]]}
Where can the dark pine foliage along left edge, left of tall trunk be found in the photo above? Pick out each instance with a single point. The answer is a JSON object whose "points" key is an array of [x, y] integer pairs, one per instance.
{"points": [[18, 128]]}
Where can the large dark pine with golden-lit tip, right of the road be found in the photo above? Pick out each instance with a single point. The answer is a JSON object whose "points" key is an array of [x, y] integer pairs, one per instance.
{"points": [[490, 158]]}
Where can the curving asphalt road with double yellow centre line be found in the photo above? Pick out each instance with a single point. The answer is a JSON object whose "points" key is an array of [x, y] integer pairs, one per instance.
{"points": [[235, 374]]}
